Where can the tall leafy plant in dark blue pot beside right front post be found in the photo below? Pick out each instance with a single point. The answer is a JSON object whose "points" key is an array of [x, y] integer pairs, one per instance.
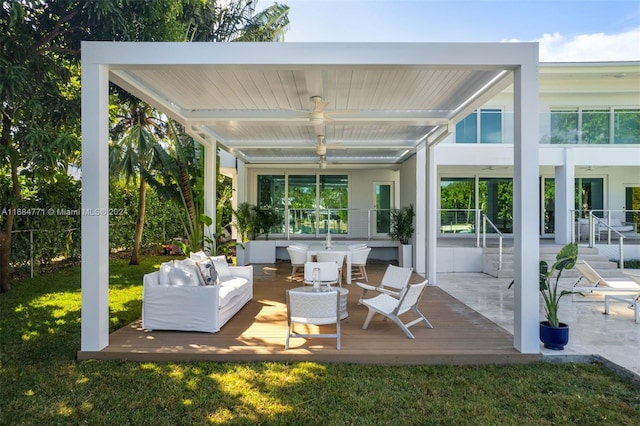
{"points": [[553, 333]]}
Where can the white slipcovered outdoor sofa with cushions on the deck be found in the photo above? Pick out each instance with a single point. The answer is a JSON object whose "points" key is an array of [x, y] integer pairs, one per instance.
{"points": [[188, 295]]}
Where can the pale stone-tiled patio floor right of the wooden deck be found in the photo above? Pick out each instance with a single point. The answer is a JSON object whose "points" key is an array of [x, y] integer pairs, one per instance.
{"points": [[614, 337]]}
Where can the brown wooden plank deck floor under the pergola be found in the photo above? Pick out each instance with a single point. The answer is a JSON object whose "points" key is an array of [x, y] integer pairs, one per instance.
{"points": [[257, 333]]}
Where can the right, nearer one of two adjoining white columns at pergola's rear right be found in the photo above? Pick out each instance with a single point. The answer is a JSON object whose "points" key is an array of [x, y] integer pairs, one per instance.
{"points": [[432, 188]]}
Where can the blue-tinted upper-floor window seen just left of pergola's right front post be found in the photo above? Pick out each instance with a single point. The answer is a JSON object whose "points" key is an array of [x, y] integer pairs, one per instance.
{"points": [[482, 126]]}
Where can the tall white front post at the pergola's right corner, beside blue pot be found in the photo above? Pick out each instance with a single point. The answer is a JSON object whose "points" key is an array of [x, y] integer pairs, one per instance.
{"points": [[526, 207]]}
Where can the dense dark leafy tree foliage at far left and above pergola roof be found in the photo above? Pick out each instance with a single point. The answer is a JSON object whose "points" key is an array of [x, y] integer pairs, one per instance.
{"points": [[39, 72]]}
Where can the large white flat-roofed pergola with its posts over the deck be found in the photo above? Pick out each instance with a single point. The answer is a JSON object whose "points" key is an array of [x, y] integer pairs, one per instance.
{"points": [[279, 103]]}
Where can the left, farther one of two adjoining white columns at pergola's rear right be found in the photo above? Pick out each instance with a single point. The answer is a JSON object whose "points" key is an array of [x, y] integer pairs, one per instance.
{"points": [[420, 240]]}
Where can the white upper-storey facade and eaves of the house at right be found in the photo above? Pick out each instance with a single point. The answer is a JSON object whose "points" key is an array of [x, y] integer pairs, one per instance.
{"points": [[580, 85]]}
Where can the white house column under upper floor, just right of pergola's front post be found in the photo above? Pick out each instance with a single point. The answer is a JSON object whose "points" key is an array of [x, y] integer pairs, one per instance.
{"points": [[564, 198]]}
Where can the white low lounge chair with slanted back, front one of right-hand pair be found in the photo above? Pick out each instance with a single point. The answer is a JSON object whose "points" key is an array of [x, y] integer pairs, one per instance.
{"points": [[392, 308]]}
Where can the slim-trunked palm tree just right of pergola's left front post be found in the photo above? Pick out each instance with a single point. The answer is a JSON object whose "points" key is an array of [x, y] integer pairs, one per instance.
{"points": [[137, 128]]}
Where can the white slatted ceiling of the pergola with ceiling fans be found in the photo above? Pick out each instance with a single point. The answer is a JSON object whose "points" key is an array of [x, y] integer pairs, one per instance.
{"points": [[262, 113]]}
